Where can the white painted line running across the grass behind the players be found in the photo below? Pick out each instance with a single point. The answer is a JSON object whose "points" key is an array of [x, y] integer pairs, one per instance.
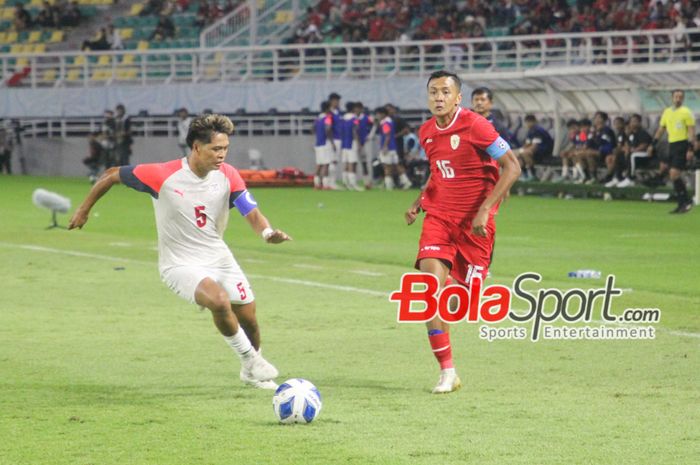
{"points": [[302, 282]]}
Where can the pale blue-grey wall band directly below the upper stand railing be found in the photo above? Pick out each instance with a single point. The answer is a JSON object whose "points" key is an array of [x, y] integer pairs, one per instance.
{"points": [[285, 96]]}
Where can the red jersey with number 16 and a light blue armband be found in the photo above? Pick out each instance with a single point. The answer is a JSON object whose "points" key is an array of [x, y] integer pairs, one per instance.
{"points": [[463, 166]]}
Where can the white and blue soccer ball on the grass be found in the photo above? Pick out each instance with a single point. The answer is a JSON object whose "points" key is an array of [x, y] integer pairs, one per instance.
{"points": [[296, 401]]}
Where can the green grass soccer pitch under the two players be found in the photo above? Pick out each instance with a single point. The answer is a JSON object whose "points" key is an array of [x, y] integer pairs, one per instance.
{"points": [[101, 364]]}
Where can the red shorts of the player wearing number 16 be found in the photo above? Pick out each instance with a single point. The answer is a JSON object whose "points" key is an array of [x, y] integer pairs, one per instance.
{"points": [[455, 243]]}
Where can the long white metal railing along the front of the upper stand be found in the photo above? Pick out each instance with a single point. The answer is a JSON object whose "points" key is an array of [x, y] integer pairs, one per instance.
{"points": [[584, 53]]}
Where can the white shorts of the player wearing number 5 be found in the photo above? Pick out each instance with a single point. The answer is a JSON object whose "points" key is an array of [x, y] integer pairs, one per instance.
{"points": [[183, 280]]}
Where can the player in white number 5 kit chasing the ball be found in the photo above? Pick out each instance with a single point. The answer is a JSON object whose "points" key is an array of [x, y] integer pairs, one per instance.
{"points": [[192, 197]]}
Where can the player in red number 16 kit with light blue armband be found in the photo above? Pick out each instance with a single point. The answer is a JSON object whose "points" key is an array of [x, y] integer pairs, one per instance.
{"points": [[460, 200]]}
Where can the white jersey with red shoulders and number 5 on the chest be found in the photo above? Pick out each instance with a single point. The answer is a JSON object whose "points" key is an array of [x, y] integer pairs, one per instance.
{"points": [[191, 212]]}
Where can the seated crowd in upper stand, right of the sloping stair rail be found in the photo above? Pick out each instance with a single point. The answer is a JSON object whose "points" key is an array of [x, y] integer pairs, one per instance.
{"points": [[391, 20]]}
